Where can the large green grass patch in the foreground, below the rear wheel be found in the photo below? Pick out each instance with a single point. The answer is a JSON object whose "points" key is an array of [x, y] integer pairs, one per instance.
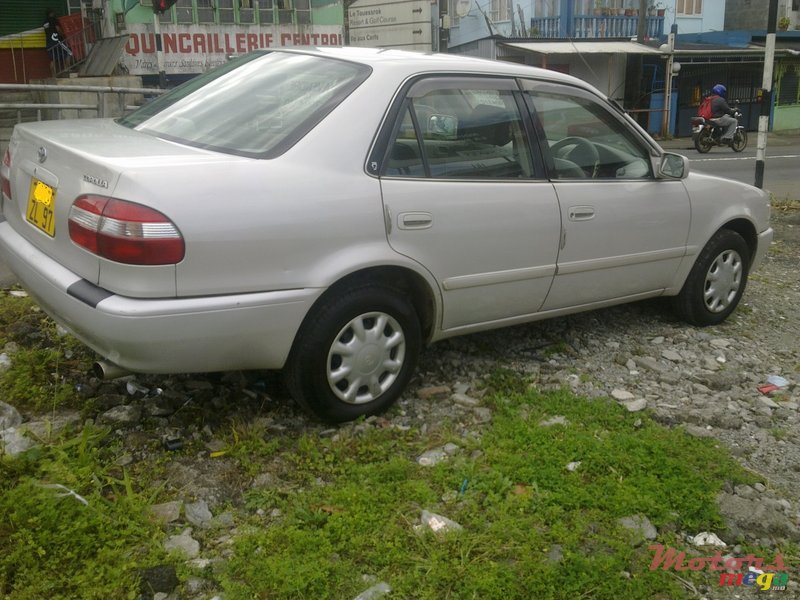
{"points": [[349, 506]]}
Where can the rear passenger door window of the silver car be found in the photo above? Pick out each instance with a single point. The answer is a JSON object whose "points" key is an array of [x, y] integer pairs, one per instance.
{"points": [[460, 131]]}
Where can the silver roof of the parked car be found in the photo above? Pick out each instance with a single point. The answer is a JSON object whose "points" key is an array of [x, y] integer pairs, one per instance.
{"points": [[405, 63]]}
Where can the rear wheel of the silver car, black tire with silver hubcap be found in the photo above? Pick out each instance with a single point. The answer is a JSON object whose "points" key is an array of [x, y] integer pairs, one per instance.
{"points": [[355, 354]]}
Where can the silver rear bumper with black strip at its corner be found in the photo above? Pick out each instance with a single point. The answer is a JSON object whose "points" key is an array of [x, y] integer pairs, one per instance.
{"points": [[170, 335]]}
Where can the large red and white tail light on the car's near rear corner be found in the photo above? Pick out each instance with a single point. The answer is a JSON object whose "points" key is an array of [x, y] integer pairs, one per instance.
{"points": [[124, 231]]}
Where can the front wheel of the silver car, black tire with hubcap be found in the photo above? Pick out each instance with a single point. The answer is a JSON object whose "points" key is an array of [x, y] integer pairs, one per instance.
{"points": [[716, 282]]}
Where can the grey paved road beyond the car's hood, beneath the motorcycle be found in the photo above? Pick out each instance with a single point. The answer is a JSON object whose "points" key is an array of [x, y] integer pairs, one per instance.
{"points": [[782, 168]]}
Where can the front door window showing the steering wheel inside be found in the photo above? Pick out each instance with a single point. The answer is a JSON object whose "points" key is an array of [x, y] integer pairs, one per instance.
{"points": [[585, 140]]}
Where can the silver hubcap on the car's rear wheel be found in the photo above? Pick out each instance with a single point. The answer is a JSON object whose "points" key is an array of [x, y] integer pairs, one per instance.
{"points": [[366, 357]]}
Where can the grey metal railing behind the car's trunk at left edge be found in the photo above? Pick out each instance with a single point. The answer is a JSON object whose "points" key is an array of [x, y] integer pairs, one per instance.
{"points": [[99, 107]]}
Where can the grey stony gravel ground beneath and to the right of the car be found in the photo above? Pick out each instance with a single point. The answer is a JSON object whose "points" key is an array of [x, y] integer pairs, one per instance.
{"points": [[640, 354]]}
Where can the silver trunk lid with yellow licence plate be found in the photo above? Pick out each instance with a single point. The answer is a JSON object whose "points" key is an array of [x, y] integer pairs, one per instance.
{"points": [[53, 163]]}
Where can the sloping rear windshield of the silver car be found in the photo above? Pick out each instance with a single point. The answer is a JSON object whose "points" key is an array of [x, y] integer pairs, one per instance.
{"points": [[257, 105]]}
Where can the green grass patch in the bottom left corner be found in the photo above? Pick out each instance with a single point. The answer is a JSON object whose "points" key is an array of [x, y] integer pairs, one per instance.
{"points": [[52, 544]]}
